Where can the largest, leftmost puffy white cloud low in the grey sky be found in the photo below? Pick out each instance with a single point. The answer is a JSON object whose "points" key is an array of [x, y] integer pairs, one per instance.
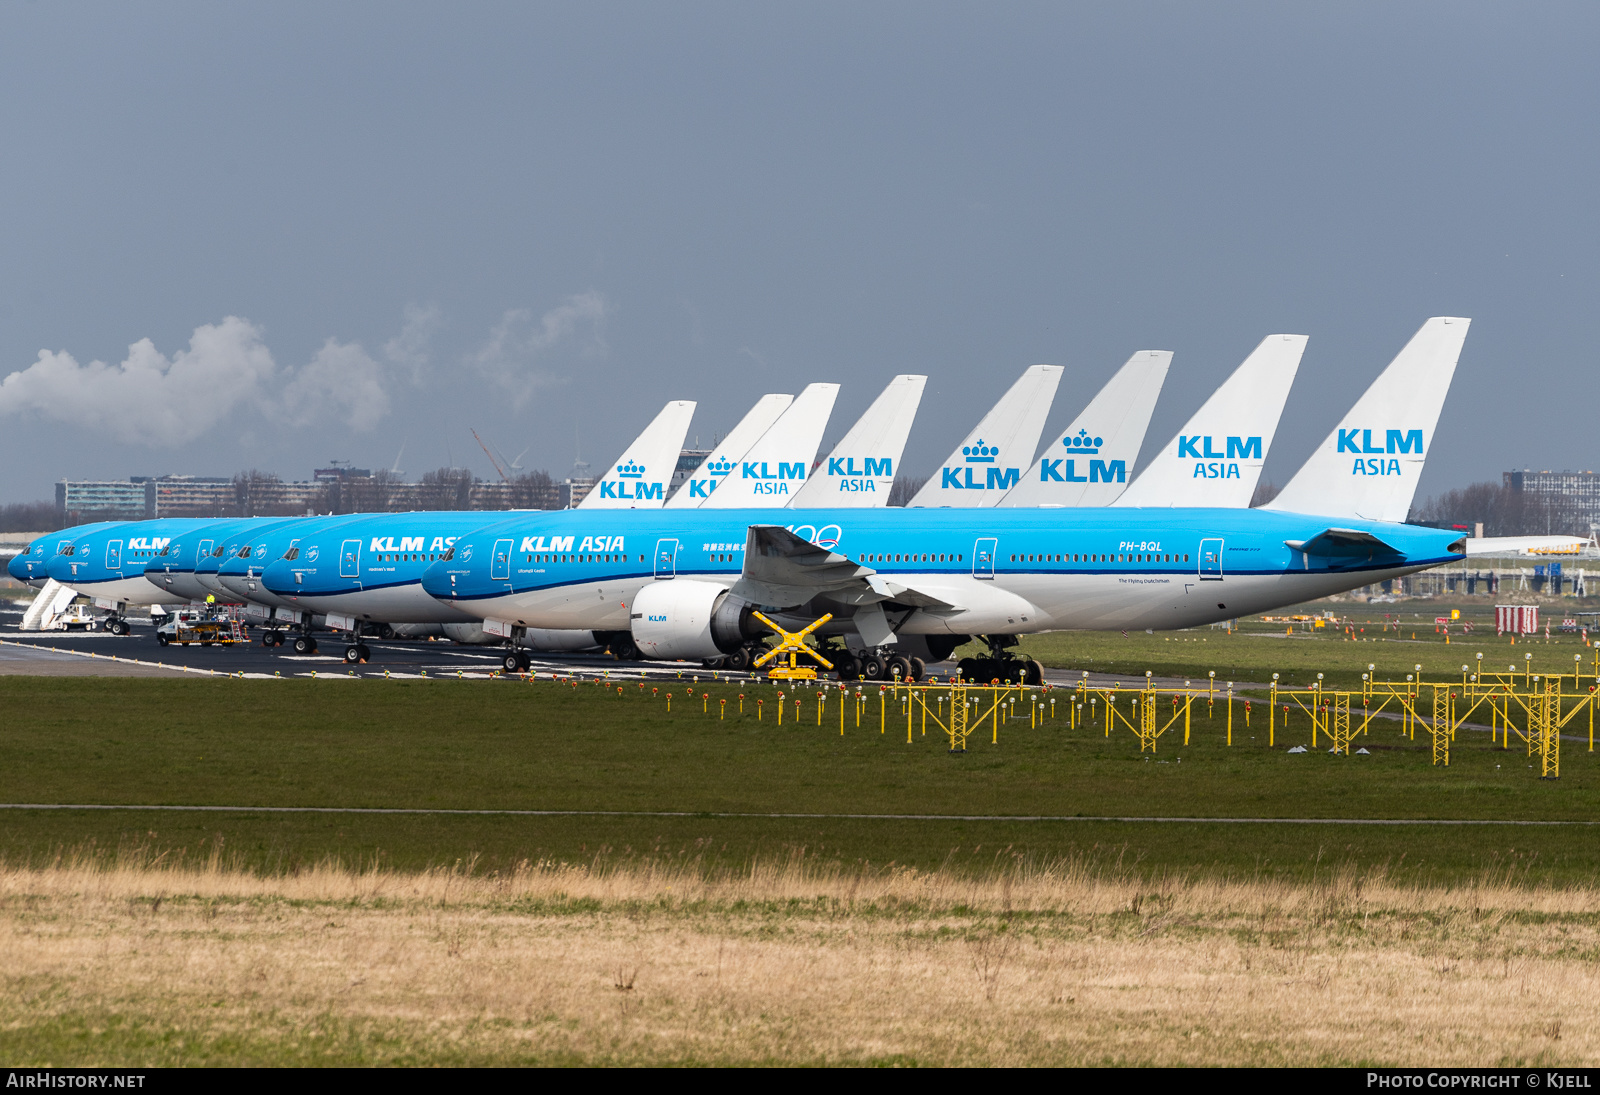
{"points": [[150, 399]]}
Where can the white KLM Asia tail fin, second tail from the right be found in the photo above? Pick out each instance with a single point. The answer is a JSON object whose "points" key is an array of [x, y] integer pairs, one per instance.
{"points": [[1217, 459]]}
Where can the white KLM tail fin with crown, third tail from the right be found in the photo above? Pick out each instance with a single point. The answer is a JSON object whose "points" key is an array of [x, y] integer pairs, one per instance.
{"points": [[1090, 463]]}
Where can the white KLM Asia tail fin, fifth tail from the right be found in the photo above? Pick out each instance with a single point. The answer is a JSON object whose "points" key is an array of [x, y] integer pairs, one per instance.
{"points": [[860, 473]]}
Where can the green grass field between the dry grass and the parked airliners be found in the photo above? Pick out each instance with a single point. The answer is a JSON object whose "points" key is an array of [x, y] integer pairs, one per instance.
{"points": [[551, 747]]}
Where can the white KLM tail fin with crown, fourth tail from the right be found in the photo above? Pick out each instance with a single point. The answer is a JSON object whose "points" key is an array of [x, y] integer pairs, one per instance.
{"points": [[991, 460]]}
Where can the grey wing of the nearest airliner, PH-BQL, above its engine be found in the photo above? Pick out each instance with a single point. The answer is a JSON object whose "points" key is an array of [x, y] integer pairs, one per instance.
{"points": [[785, 571]]}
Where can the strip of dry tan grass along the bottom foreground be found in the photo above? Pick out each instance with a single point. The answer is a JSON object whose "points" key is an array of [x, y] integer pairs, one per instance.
{"points": [[143, 963]]}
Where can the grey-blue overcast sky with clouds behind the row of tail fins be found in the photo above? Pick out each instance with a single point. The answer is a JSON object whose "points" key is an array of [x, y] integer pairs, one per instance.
{"points": [[271, 236]]}
